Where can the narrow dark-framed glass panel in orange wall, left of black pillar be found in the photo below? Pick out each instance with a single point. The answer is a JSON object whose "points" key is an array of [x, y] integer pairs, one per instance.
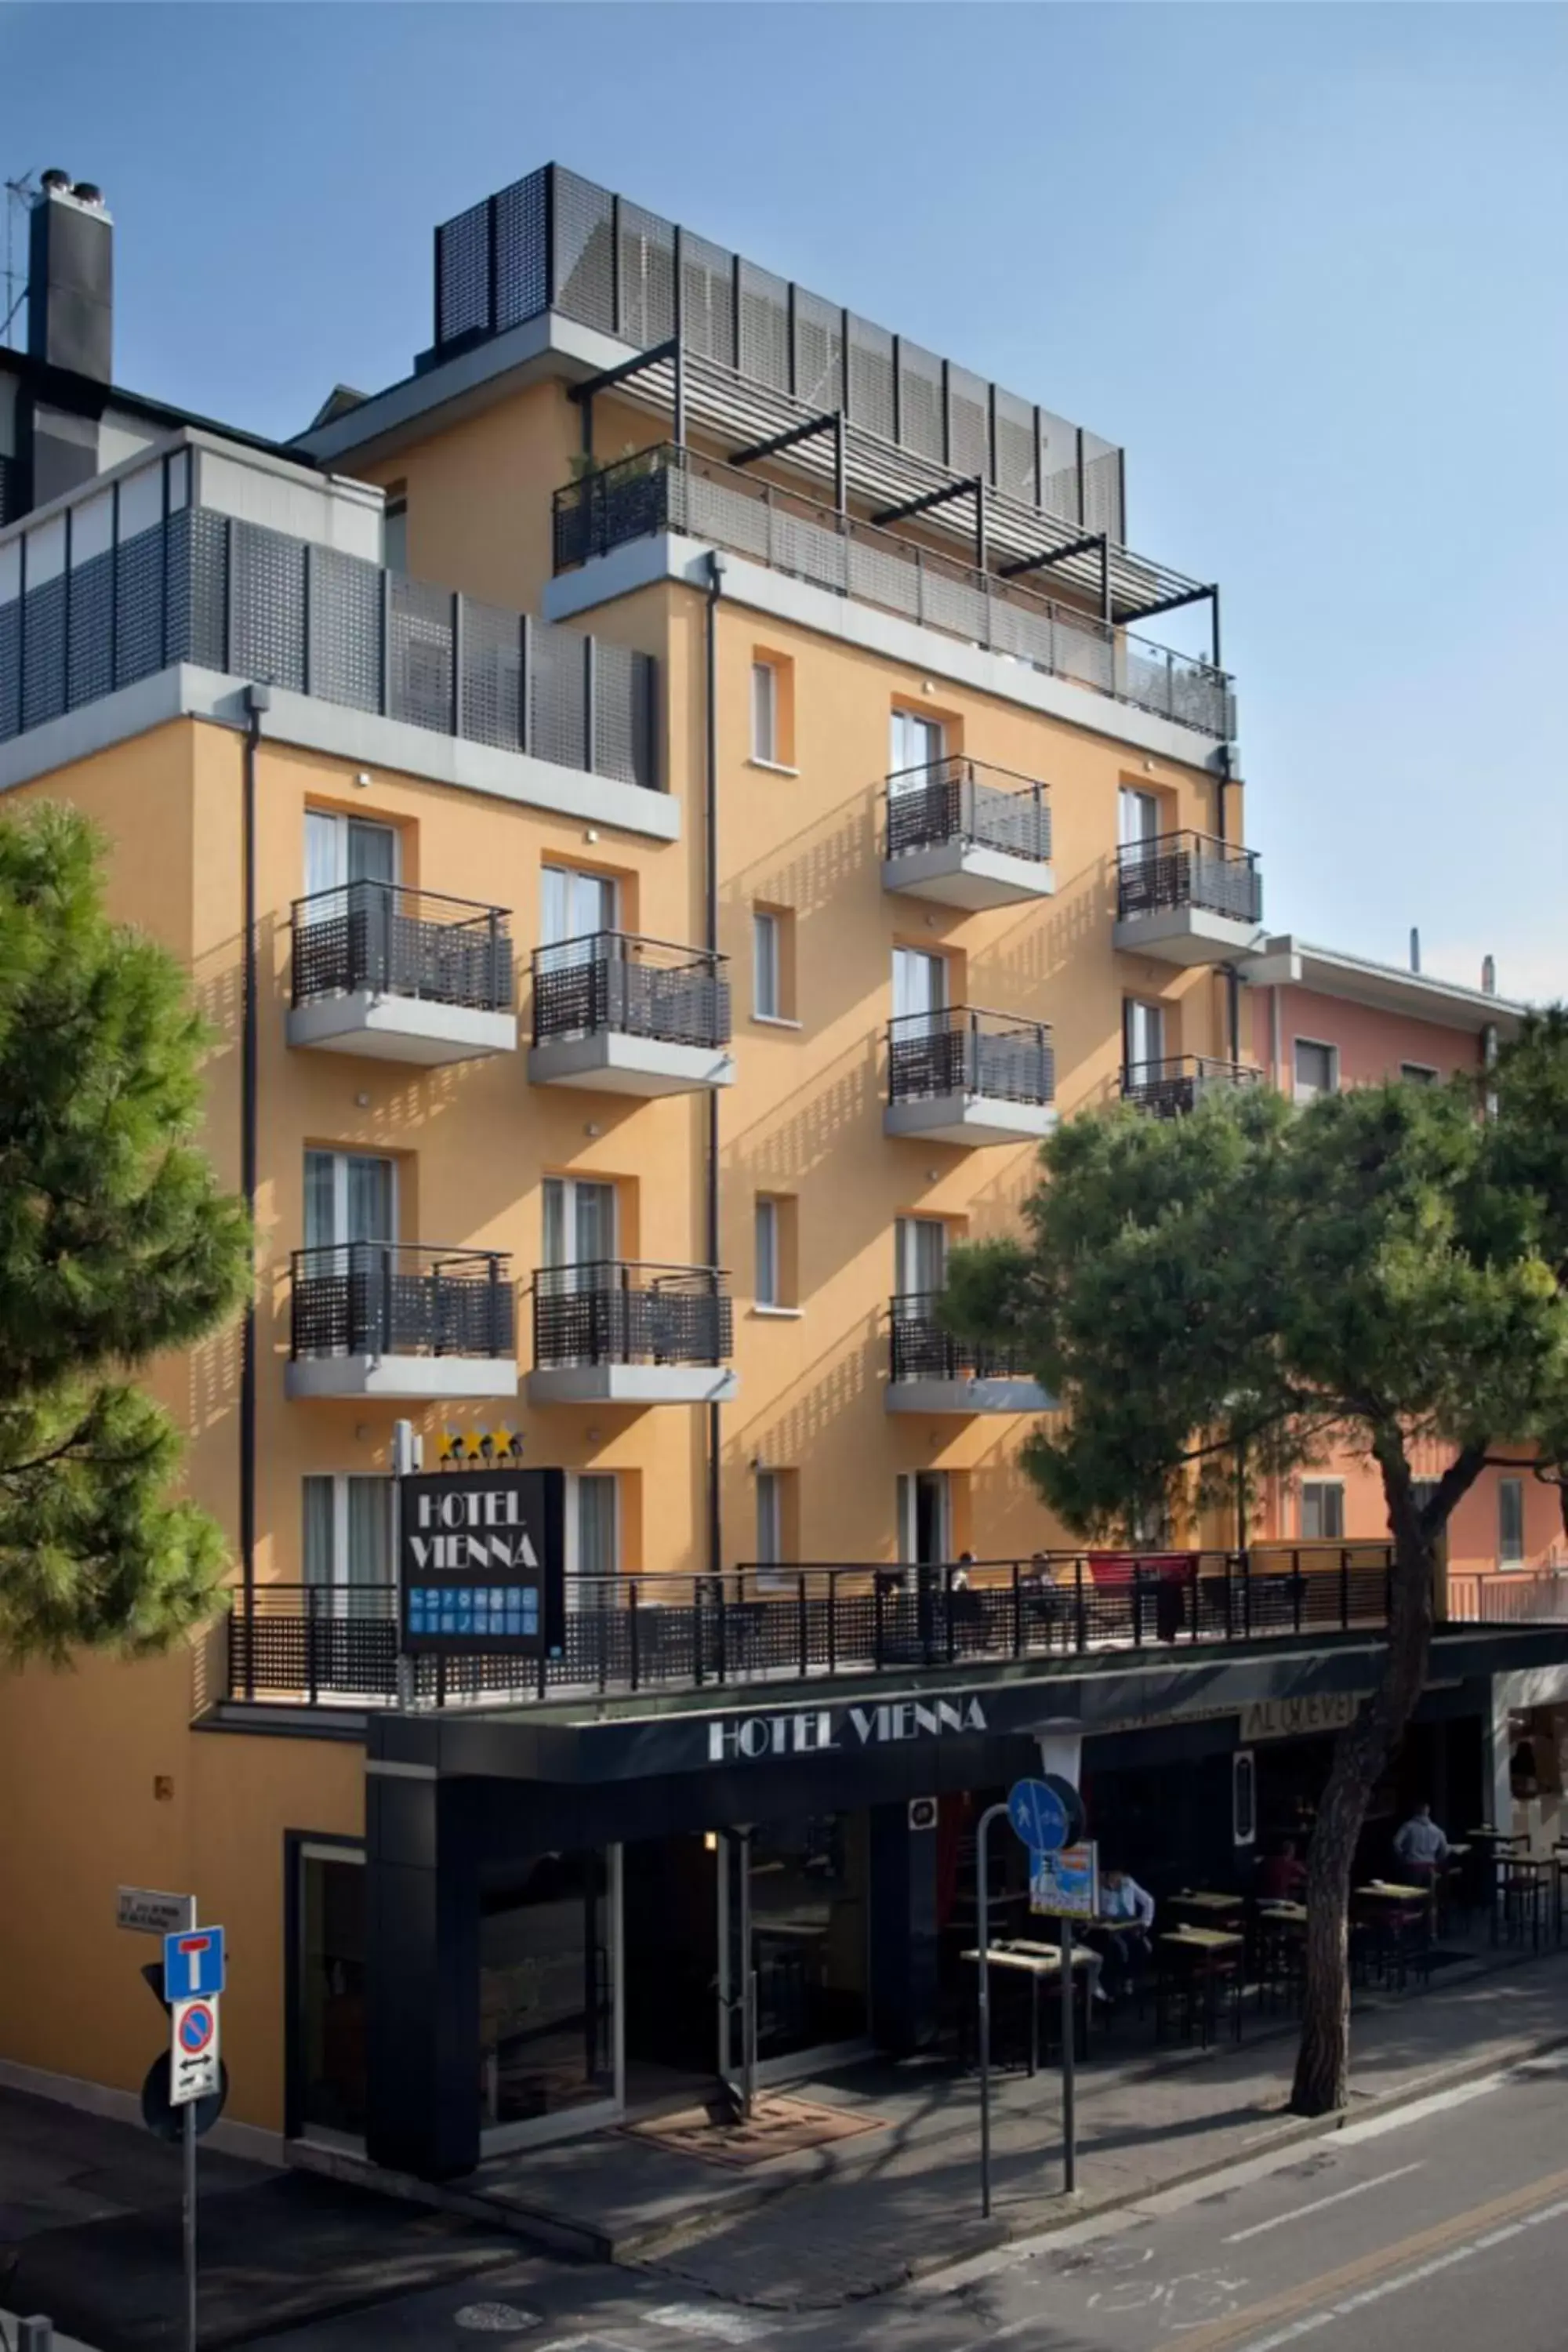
{"points": [[330, 1991]]}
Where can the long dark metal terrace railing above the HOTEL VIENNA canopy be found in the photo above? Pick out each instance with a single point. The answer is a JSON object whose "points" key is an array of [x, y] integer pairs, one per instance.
{"points": [[810, 1624]]}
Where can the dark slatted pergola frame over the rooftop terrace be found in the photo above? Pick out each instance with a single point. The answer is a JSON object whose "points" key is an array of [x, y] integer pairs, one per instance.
{"points": [[756, 422]]}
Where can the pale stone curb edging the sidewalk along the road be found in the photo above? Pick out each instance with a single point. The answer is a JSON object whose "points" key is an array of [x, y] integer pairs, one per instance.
{"points": [[1066, 2214]]}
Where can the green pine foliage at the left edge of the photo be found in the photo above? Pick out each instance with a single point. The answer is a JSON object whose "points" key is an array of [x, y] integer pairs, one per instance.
{"points": [[114, 1248]]}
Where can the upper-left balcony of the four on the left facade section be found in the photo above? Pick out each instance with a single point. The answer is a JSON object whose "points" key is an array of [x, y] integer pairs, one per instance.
{"points": [[401, 975]]}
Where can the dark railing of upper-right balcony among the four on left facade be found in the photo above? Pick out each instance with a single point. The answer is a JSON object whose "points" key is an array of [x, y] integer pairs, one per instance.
{"points": [[631, 987]]}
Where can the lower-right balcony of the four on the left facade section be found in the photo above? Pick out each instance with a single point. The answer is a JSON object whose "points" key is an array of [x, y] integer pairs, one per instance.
{"points": [[617, 1332]]}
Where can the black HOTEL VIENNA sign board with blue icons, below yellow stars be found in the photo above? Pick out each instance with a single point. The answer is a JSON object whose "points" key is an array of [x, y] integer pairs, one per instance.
{"points": [[481, 1563]]}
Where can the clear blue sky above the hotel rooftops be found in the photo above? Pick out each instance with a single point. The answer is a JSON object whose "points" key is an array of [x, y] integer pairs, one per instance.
{"points": [[1306, 262]]}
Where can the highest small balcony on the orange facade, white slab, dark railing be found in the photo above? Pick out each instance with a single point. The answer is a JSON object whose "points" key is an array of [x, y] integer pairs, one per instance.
{"points": [[967, 836]]}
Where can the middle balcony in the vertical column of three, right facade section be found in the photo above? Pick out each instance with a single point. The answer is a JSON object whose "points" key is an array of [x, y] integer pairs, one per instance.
{"points": [[967, 1076]]}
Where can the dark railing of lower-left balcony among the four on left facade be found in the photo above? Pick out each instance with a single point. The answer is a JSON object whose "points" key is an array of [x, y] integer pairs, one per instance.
{"points": [[401, 1299]]}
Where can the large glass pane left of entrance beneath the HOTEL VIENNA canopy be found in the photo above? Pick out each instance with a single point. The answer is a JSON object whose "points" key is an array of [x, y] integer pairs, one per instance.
{"points": [[547, 1991]]}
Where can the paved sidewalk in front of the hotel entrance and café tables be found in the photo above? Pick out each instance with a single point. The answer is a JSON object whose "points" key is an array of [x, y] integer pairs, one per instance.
{"points": [[864, 2214]]}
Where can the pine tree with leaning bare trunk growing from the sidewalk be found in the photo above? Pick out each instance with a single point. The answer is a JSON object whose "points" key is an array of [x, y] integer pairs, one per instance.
{"points": [[1261, 1285]]}
